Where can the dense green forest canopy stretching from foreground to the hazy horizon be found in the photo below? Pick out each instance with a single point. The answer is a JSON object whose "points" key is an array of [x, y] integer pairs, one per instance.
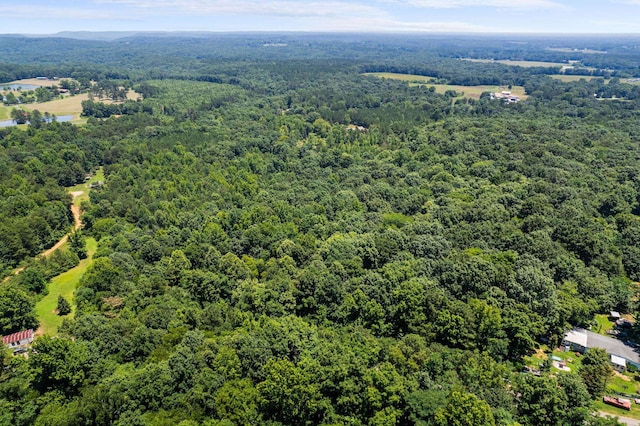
{"points": [[283, 240]]}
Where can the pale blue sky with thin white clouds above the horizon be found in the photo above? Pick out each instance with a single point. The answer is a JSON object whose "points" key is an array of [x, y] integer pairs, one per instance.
{"points": [[524, 16]]}
